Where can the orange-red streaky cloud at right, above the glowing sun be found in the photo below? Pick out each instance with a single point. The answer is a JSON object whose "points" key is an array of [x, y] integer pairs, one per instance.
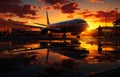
{"points": [[101, 16]]}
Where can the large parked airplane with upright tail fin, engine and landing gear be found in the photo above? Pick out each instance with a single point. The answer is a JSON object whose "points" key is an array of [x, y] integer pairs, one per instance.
{"points": [[74, 26]]}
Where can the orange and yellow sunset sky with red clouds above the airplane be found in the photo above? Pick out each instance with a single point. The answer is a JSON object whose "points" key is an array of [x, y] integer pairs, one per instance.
{"points": [[95, 12]]}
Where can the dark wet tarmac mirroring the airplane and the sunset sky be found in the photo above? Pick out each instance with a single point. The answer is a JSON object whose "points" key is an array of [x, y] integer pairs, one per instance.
{"points": [[59, 58]]}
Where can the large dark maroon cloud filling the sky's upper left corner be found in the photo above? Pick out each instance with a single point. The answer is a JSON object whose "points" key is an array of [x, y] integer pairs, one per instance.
{"points": [[16, 7]]}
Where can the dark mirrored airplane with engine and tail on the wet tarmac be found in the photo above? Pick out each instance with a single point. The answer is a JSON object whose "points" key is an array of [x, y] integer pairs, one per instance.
{"points": [[72, 50]]}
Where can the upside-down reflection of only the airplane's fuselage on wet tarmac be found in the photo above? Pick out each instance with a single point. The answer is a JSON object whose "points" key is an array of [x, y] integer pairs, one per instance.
{"points": [[69, 51]]}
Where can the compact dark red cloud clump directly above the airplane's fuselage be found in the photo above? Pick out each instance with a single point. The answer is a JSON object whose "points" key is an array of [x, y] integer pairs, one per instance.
{"points": [[70, 8]]}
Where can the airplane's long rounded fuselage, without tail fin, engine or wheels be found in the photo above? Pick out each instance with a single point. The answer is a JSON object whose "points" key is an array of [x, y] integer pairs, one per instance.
{"points": [[75, 25]]}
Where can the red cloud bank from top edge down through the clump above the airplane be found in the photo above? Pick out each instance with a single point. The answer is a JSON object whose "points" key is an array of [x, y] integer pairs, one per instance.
{"points": [[66, 6]]}
